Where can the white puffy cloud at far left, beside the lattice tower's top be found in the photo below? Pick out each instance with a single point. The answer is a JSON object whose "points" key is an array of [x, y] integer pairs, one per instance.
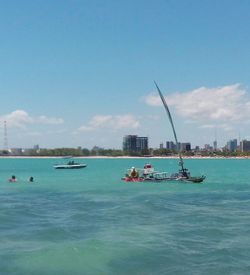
{"points": [[20, 119]]}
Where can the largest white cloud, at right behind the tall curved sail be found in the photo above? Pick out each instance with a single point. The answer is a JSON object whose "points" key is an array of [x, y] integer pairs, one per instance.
{"points": [[209, 105]]}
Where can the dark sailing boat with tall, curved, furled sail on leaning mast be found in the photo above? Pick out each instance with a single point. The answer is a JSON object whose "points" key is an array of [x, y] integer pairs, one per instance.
{"points": [[183, 173]]}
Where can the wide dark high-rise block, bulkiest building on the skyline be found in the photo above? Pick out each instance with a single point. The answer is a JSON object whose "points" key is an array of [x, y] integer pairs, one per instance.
{"points": [[135, 144]]}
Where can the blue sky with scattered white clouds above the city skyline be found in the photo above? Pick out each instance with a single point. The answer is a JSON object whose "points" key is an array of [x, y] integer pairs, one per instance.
{"points": [[81, 73]]}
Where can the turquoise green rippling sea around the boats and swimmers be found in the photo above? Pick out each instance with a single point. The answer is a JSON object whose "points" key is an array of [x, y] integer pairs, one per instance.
{"points": [[88, 221]]}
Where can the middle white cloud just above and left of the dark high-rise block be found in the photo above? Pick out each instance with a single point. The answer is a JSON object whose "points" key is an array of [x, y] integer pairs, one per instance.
{"points": [[111, 122]]}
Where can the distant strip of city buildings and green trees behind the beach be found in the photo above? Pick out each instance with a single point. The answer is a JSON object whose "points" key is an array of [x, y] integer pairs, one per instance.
{"points": [[135, 145]]}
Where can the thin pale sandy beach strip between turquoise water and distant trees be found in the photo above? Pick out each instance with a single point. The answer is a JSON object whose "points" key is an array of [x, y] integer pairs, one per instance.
{"points": [[123, 157]]}
